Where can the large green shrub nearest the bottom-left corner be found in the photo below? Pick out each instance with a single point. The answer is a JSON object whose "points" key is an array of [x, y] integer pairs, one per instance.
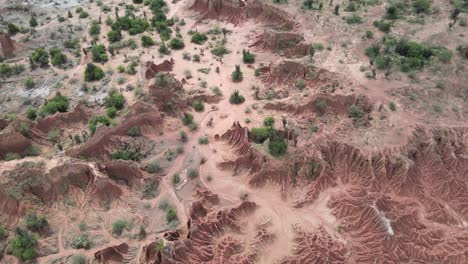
{"points": [[22, 245]]}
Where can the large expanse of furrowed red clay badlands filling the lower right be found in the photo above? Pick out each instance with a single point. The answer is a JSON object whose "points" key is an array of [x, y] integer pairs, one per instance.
{"points": [[397, 206]]}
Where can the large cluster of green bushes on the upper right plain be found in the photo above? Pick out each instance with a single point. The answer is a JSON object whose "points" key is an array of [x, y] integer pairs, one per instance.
{"points": [[409, 55]]}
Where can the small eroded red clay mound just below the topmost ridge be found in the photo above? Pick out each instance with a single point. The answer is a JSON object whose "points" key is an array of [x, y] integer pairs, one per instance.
{"points": [[289, 44]]}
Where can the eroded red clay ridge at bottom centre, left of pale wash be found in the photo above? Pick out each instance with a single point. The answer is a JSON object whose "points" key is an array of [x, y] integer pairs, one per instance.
{"points": [[211, 238]]}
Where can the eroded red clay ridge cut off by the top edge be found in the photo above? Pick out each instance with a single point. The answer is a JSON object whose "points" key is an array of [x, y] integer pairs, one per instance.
{"points": [[237, 12]]}
